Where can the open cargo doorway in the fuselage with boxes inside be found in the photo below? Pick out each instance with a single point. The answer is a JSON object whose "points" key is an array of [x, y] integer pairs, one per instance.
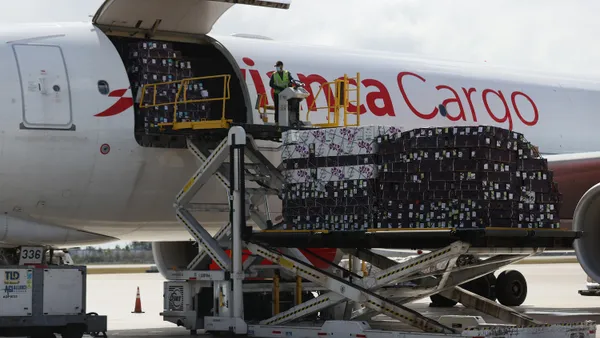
{"points": [[178, 83]]}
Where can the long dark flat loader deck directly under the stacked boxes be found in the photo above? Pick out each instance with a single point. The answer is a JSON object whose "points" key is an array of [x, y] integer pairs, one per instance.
{"points": [[425, 239]]}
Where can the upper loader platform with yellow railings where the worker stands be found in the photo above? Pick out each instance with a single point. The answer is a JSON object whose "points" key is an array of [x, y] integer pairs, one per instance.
{"points": [[155, 96]]}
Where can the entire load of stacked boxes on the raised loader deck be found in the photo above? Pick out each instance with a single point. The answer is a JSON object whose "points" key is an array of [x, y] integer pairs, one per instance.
{"points": [[460, 177]]}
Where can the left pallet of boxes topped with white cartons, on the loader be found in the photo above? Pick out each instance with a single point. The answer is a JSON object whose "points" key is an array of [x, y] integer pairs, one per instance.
{"points": [[331, 177]]}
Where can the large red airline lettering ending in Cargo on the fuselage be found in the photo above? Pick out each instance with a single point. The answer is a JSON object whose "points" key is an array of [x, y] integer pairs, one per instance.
{"points": [[465, 104]]}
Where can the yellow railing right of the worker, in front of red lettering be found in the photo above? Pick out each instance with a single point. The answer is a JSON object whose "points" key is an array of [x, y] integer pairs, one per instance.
{"points": [[341, 102]]}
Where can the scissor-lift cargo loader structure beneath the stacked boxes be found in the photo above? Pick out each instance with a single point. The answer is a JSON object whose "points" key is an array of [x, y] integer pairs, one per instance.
{"points": [[456, 258]]}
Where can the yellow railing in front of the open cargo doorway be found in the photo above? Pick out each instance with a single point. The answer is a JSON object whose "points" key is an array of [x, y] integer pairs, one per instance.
{"points": [[204, 123]]}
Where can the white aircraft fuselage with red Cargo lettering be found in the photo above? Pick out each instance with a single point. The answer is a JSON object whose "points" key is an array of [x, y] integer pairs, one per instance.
{"points": [[62, 177]]}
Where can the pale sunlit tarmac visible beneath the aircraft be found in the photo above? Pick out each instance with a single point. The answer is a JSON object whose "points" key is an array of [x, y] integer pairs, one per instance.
{"points": [[552, 298]]}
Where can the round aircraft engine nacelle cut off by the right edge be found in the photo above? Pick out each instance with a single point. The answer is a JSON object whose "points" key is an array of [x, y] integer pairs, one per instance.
{"points": [[586, 218]]}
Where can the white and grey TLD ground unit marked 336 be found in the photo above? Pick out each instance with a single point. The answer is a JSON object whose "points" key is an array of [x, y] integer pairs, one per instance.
{"points": [[39, 301]]}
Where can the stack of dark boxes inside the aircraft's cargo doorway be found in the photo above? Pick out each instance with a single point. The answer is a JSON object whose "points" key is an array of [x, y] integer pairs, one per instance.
{"points": [[157, 62]]}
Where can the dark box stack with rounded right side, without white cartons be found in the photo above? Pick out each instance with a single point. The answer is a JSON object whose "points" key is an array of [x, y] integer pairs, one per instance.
{"points": [[464, 177]]}
